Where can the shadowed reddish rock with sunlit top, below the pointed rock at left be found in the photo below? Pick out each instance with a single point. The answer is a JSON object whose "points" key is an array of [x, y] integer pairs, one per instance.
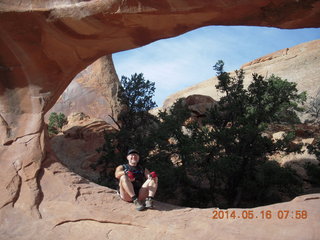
{"points": [[76, 146]]}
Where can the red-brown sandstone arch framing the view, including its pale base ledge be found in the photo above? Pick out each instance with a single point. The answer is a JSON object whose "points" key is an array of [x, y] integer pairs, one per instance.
{"points": [[43, 45]]}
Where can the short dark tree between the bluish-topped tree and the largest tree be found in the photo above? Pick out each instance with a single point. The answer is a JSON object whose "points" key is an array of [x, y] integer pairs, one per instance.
{"points": [[174, 143]]}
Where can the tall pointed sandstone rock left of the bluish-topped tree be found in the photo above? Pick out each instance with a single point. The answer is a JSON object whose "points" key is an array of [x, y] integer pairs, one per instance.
{"points": [[93, 92]]}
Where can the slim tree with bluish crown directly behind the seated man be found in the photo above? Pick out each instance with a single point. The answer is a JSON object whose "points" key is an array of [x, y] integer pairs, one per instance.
{"points": [[136, 126]]}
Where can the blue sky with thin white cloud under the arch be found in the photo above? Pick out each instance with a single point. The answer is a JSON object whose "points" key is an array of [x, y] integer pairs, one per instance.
{"points": [[179, 62]]}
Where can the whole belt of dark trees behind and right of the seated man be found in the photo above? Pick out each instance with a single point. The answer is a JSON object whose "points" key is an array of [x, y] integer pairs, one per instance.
{"points": [[222, 160]]}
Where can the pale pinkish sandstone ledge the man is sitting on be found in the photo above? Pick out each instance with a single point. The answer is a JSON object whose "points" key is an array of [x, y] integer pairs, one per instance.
{"points": [[74, 208]]}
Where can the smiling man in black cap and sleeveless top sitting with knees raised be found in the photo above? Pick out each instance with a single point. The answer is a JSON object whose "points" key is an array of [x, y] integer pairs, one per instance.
{"points": [[136, 184]]}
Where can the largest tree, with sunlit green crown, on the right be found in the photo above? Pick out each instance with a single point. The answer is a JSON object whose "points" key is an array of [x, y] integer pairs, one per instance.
{"points": [[240, 149]]}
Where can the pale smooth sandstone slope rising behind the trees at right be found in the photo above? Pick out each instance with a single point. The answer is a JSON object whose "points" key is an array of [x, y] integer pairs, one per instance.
{"points": [[299, 64]]}
